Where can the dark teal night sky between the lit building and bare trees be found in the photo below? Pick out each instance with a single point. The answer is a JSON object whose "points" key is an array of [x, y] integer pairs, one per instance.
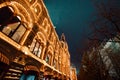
{"points": [[72, 17]]}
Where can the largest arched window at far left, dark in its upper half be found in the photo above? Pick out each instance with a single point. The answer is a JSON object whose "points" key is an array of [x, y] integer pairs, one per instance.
{"points": [[10, 25]]}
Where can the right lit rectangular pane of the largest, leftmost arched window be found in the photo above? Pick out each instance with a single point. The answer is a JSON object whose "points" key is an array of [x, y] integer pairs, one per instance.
{"points": [[19, 33]]}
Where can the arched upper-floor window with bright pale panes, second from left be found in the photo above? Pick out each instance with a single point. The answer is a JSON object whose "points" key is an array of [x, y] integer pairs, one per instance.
{"points": [[36, 47]]}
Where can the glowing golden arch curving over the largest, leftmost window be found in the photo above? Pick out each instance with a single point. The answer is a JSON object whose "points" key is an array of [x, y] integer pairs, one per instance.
{"points": [[19, 10]]}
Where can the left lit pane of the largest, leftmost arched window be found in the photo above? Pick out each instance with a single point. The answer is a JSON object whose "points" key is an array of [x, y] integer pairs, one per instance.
{"points": [[8, 30]]}
